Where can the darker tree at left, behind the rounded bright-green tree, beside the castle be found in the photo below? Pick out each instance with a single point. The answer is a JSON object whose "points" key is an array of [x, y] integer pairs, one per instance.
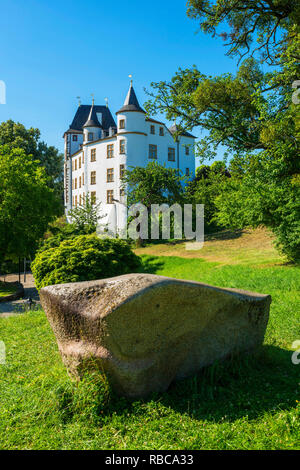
{"points": [[16, 136]]}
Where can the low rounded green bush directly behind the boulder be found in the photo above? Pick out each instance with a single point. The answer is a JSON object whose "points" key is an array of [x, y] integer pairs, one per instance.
{"points": [[84, 258]]}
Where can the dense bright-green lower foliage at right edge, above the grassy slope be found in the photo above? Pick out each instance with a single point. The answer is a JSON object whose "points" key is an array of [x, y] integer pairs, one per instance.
{"points": [[265, 195]]}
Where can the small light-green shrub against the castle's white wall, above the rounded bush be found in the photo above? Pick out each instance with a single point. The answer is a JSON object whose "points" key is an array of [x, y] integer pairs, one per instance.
{"points": [[85, 217]]}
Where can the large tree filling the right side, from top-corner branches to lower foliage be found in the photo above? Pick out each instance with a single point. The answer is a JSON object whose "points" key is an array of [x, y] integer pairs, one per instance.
{"points": [[253, 114]]}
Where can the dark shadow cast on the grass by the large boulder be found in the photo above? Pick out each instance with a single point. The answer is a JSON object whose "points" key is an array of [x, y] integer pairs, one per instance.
{"points": [[245, 386]]}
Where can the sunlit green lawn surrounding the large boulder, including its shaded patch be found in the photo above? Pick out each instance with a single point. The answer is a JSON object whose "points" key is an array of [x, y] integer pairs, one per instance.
{"points": [[246, 403]]}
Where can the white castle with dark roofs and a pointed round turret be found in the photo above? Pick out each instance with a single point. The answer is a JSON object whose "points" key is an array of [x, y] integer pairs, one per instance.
{"points": [[98, 151]]}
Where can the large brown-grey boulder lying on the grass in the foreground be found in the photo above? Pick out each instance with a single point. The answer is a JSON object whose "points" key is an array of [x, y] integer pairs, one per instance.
{"points": [[145, 331]]}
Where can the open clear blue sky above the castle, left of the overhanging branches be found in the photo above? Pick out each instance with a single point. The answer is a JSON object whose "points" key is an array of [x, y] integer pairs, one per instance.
{"points": [[53, 51]]}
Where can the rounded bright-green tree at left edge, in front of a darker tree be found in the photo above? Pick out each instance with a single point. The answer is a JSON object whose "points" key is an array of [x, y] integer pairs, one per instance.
{"points": [[27, 204]]}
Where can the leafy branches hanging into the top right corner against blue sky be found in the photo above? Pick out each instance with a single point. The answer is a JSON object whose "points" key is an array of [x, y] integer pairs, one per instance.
{"points": [[266, 22]]}
